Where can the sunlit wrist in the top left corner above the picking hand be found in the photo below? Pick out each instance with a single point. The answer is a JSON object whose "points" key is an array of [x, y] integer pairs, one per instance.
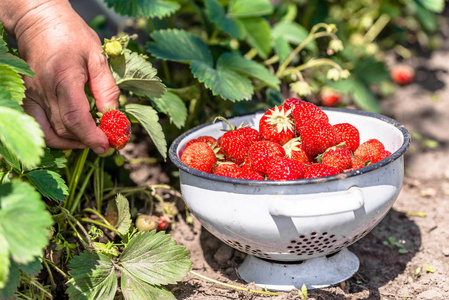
{"points": [[18, 16]]}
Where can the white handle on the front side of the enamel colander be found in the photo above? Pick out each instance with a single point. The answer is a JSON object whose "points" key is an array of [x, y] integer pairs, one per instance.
{"points": [[318, 204]]}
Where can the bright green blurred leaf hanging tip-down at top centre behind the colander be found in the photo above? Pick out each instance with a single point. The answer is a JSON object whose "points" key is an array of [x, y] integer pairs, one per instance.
{"points": [[258, 35]]}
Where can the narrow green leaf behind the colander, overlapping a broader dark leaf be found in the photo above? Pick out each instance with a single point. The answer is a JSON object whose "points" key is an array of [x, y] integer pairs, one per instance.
{"points": [[248, 67]]}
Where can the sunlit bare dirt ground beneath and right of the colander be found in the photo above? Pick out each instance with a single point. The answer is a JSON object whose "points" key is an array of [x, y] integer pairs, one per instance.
{"points": [[419, 220]]}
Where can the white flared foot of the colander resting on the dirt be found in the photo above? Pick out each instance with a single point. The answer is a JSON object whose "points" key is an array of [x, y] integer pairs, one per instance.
{"points": [[315, 273]]}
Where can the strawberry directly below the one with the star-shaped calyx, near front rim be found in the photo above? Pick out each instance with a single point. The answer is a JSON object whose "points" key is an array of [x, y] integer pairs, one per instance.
{"points": [[262, 151]]}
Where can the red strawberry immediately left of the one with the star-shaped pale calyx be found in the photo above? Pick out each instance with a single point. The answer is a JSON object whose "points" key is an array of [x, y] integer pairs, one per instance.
{"points": [[236, 143]]}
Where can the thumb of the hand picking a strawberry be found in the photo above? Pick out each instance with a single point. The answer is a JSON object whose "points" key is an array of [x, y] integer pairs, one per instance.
{"points": [[102, 85]]}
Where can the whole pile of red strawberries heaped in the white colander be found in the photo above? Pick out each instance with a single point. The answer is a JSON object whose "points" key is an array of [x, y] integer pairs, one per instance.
{"points": [[294, 141]]}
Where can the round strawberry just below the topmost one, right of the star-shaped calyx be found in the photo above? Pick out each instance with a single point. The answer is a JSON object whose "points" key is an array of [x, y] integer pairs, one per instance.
{"points": [[317, 135]]}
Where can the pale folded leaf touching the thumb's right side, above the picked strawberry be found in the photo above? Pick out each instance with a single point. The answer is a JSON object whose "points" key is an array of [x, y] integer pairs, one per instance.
{"points": [[133, 73]]}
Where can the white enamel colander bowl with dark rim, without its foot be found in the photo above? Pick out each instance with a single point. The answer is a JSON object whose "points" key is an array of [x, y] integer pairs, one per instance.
{"points": [[297, 220]]}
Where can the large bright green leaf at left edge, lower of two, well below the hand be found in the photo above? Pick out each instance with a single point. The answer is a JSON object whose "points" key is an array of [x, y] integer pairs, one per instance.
{"points": [[24, 221]]}
